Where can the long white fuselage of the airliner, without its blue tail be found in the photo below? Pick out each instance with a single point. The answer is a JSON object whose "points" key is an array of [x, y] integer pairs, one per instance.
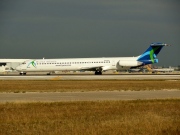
{"points": [[75, 64]]}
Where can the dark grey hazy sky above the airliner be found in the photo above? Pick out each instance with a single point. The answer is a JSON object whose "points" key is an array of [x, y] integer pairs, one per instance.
{"points": [[89, 28]]}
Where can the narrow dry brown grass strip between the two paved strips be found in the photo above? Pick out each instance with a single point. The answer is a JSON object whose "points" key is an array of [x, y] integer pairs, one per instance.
{"points": [[90, 85]]}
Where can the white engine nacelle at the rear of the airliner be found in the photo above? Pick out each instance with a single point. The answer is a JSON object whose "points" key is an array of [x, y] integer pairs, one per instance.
{"points": [[129, 63]]}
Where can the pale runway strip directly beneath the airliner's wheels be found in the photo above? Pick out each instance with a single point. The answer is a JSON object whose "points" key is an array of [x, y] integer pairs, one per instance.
{"points": [[90, 77]]}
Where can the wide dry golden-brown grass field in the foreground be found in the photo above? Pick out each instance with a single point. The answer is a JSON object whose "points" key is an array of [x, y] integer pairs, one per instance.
{"points": [[146, 117]]}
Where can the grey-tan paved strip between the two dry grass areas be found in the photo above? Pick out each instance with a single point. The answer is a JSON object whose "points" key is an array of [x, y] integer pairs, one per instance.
{"points": [[88, 96]]}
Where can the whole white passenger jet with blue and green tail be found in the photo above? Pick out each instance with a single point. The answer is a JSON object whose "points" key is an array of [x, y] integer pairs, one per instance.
{"points": [[98, 65]]}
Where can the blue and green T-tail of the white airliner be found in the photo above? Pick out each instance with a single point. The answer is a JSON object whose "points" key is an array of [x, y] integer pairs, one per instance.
{"points": [[150, 55]]}
